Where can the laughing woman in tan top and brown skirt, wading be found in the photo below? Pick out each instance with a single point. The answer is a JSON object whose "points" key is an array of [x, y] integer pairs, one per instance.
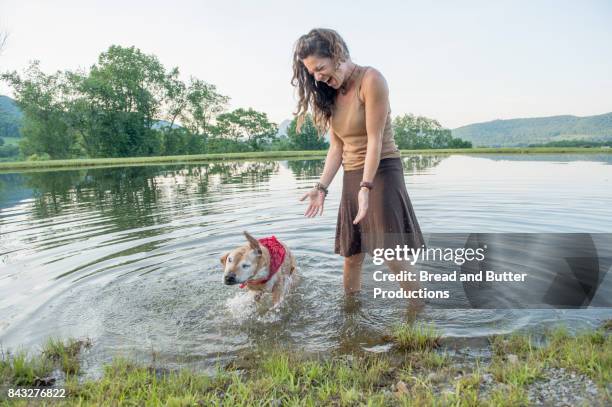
{"points": [[352, 102]]}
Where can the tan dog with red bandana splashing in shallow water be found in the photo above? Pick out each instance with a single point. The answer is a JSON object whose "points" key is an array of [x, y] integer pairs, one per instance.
{"points": [[263, 266]]}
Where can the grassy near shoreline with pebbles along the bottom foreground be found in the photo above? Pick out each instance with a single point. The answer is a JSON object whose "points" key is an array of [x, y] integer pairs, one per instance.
{"points": [[416, 371]]}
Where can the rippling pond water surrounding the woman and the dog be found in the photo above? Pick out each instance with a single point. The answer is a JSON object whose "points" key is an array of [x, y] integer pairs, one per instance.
{"points": [[129, 256]]}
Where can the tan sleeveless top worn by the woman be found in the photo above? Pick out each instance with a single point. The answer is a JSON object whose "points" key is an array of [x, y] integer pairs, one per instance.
{"points": [[349, 124]]}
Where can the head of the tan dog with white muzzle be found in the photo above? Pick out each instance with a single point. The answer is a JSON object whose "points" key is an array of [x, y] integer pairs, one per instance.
{"points": [[243, 263]]}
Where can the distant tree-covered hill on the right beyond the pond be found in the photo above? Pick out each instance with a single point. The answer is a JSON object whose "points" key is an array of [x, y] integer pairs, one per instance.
{"points": [[521, 132]]}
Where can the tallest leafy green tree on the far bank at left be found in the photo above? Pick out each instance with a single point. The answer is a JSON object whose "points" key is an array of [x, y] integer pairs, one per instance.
{"points": [[120, 99]]}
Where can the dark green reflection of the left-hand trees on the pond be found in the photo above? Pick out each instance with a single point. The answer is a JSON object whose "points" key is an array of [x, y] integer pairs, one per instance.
{"points": [[128, 192]]}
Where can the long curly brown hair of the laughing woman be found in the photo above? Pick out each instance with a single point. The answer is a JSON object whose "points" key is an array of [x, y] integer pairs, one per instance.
{"points": [[320, 97]]}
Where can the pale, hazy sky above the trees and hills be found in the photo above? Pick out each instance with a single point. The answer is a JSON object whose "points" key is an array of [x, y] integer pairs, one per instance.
{"points": [[459, 62]]}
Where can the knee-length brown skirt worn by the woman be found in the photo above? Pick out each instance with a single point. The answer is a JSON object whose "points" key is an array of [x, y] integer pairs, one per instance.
{"points": [[390, 220]]}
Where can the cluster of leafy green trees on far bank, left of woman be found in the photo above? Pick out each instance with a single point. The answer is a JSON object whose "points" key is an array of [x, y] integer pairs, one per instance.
{"points": [[128, 104]]}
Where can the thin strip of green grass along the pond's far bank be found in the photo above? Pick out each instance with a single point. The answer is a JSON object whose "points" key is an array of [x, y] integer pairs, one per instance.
{"points": [[93, 162]]}
